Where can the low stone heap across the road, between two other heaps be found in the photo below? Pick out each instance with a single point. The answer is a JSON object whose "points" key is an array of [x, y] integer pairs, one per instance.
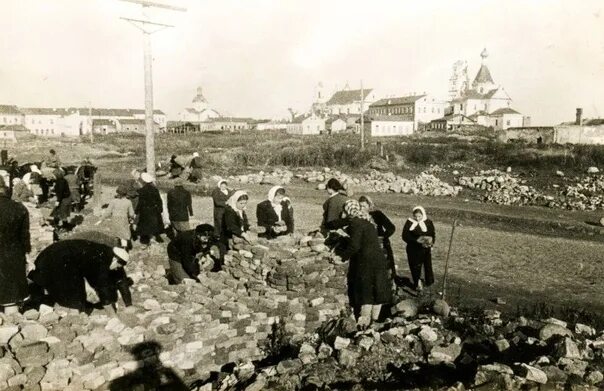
{"points": [[504, 188]]}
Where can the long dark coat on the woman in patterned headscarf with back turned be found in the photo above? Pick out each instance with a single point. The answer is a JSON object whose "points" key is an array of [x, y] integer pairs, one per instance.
{"points": [[368, 272]]}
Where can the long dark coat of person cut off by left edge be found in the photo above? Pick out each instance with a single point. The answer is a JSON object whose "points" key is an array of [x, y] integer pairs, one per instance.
{"points": [[14, 244]]}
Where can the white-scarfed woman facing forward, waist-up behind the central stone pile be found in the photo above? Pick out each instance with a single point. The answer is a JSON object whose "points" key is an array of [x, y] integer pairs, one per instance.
{"points": [[273, 214]]}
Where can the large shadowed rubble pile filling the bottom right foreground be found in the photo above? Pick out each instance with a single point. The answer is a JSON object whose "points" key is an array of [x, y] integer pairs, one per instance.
{"points": [[418, 352]]}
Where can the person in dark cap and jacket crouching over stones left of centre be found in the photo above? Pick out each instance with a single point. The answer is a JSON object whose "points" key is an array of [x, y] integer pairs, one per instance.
{"points": [[192, 252]]}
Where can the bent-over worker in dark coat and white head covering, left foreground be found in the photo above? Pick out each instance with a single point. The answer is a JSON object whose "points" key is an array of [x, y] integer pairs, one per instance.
{"points": [[63, 268]]}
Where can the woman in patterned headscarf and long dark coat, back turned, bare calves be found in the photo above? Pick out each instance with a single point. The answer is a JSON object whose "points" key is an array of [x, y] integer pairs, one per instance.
{"points": [[369, 285]]}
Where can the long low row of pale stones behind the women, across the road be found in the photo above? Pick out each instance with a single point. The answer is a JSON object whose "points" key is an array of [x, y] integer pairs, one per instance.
{"points": [[385, 182]]}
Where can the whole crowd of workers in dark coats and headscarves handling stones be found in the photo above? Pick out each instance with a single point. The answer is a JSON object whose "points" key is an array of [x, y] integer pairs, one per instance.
{"points": [[356, 230]]}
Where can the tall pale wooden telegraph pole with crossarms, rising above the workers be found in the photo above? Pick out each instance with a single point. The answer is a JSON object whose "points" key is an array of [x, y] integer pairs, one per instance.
{"points": [[148, 28]]}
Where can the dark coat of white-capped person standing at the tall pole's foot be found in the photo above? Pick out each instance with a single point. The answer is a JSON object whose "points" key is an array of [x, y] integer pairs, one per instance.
{"points": [[149, 209]]}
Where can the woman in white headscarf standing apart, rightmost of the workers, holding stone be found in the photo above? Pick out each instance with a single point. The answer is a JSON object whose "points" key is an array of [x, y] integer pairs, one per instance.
{"points": [[419, 234]]}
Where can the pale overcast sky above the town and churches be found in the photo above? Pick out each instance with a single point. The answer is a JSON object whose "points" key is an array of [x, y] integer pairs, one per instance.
{"points": [[259, 57]]}
